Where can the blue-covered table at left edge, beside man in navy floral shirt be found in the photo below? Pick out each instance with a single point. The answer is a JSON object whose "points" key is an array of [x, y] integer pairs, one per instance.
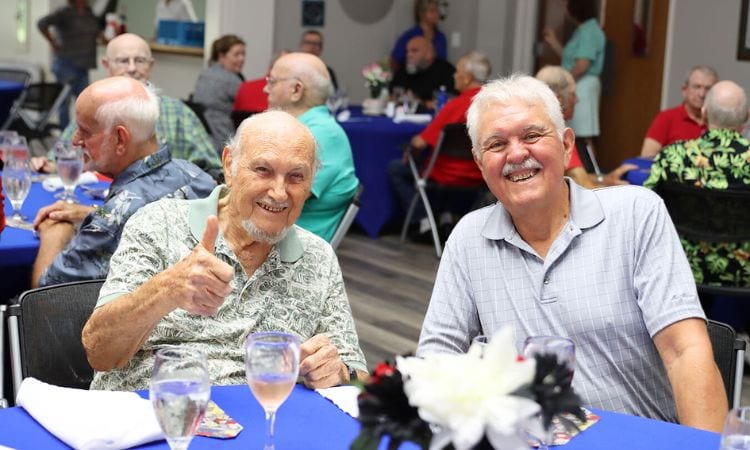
{"points": [[18, 248]]}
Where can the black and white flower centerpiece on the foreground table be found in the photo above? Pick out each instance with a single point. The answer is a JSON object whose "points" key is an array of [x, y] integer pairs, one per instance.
{"points": [[487, 398]]}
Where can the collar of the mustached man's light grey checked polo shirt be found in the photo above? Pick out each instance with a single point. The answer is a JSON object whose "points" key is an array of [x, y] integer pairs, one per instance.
{"points": [[585, 212]]}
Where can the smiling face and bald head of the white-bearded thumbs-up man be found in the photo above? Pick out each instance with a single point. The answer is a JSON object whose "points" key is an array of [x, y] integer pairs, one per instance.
{"points": [[272, 177]]}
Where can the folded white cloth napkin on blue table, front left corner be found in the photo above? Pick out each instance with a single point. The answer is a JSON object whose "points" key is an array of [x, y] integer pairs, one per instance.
{"points": [[102, 420]]}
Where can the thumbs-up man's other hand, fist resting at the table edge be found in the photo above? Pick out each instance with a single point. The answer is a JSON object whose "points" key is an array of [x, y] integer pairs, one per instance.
{"points": [[320, 365]]}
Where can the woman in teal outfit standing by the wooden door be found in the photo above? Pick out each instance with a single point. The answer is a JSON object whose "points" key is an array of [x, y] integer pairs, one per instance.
{"points": [[583, 57]]}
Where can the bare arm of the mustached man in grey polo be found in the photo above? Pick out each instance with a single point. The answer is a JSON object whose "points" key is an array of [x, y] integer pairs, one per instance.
{"points": [[696, 382]]}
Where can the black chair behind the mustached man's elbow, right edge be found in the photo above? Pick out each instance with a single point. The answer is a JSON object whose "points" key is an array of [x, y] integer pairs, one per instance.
{"points": [[729, 354]]}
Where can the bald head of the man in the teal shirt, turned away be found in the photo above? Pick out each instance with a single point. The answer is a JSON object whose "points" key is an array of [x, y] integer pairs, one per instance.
{"points": [[299, 81]]}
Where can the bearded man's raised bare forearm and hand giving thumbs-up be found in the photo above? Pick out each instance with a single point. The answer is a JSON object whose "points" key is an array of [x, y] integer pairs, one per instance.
{"points": [[198, 284]]}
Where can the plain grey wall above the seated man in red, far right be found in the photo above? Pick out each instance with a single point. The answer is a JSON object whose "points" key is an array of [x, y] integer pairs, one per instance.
{"points": [[702, 32]]}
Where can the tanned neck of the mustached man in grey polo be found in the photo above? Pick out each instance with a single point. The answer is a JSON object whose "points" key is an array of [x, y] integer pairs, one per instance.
{"points": [[540, 225]]}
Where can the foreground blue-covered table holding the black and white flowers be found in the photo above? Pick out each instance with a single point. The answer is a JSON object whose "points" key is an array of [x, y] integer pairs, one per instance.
{"points": [[309, 421]]}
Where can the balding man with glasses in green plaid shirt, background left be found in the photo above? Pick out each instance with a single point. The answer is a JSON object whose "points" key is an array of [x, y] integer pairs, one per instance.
{"points": [[177, 127]]}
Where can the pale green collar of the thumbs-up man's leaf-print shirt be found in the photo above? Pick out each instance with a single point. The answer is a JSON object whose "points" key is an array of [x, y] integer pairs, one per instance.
{"points": [[290, 248]]}
